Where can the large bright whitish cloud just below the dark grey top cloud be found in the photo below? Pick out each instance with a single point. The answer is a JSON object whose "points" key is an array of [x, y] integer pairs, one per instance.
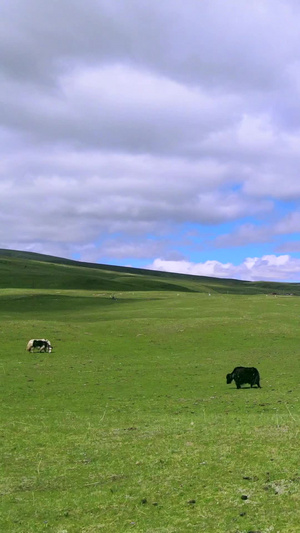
{"points": [[117, 108]]}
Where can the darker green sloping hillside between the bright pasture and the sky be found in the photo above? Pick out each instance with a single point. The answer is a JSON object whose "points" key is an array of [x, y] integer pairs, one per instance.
{"points": [[31, 270]]}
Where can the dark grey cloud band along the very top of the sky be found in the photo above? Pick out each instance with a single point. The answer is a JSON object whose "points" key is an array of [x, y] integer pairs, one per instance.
{"points": [[169, 37]]}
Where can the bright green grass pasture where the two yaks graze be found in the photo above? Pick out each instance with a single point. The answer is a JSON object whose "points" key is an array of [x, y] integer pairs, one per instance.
{"points": [[129, 424]]}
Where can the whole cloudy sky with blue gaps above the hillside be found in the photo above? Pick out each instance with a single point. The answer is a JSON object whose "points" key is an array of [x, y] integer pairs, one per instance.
{"points": [[162, 134]]}
